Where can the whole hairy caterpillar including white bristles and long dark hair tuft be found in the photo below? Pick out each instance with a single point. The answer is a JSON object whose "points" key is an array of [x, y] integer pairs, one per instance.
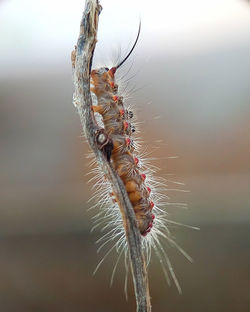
{"points": [[145, 193]]}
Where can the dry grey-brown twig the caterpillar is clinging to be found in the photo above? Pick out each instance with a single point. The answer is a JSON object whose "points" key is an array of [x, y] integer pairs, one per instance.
{"points": [[81, 63]]}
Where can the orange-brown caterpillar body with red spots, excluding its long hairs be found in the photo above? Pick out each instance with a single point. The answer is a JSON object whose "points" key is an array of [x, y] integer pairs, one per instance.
{"points": [[116, 119]]}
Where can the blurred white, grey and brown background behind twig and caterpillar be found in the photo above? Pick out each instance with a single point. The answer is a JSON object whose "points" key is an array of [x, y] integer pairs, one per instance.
{"points": [[189, 84]]}
